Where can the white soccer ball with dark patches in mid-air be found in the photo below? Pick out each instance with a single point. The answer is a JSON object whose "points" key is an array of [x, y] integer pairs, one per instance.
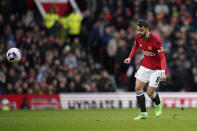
{"points": [[14, 55]]}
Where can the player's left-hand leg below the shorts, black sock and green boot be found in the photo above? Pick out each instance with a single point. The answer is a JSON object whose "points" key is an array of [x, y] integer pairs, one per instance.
{"points": [[140, 99]]}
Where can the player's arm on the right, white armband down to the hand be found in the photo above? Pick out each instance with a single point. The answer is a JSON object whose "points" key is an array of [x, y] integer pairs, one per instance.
{"points": [[163, 63]]}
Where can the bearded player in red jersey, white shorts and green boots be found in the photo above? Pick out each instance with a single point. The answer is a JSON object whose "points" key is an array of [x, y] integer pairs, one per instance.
{"points": [[152, 68]]}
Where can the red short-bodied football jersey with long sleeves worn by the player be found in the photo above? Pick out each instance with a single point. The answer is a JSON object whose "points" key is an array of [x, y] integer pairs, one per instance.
{"points": [[153, 52]]}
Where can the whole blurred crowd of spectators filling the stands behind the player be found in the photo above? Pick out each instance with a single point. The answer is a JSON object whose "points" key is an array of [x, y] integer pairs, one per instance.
{"points": [[56, 60]]}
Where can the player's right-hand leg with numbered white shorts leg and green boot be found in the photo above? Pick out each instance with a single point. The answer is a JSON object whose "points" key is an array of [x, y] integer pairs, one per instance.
{"points": [[151, 91]]}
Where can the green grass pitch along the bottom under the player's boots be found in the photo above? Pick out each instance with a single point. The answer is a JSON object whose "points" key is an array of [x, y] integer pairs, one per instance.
{"points": [[98, 120]]}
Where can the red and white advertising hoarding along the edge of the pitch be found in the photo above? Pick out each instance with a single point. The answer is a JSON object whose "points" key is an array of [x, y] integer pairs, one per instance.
{"points": [[96, 100]]}
